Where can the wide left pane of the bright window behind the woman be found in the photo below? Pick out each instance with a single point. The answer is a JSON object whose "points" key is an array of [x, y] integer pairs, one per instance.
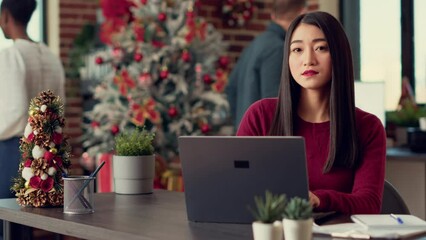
{"points": [[380, 46]]}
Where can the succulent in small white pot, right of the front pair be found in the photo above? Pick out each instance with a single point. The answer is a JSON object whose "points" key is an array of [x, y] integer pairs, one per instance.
{"points": [[297, 219]]}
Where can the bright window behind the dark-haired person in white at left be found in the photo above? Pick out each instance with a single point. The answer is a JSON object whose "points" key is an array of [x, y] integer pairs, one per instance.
{"points": [[35, 27]]}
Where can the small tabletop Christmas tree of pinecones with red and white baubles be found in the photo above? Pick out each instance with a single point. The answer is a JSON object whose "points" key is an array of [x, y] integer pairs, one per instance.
{"points": [[45, 154]]}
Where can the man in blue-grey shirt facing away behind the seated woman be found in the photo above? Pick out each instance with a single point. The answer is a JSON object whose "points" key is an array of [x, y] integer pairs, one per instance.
{"points": [[257, 73]]}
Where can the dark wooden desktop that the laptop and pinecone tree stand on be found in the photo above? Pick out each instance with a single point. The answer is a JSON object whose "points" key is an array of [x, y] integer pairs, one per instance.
{"points": [[161, 215]]}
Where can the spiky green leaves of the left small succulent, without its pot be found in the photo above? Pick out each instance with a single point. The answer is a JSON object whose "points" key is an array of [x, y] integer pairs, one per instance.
{"points": [[270, 209]]}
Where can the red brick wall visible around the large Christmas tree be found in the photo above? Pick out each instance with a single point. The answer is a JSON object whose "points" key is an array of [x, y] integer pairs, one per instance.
{"points": [[75, 13]]}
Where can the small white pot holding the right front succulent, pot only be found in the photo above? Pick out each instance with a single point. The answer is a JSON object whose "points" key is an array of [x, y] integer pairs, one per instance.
{"points": [[297, 229]]}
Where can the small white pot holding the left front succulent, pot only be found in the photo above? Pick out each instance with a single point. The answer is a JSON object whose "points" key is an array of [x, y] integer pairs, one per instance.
{"points": [[267, 231]]}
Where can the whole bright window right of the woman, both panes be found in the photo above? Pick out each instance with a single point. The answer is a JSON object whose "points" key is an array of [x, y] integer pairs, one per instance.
{"points": [[382, 37]]}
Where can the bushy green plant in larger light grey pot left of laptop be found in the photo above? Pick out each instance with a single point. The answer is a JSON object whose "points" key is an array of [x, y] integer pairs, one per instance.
{"points": [[134, 162]]}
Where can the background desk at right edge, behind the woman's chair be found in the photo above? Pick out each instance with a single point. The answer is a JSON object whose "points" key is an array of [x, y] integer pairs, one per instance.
{"points": [[406, 170]]}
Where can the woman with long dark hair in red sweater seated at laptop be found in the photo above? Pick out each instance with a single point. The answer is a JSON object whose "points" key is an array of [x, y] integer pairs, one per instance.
{"points": [[345, 146]]}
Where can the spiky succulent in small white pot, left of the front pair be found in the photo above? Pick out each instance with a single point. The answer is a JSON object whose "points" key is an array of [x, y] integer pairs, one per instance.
{"points": [[268, 214]]}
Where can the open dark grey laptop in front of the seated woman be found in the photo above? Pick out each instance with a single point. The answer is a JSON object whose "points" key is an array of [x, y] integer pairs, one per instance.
{"points": [[222, 174]]}
